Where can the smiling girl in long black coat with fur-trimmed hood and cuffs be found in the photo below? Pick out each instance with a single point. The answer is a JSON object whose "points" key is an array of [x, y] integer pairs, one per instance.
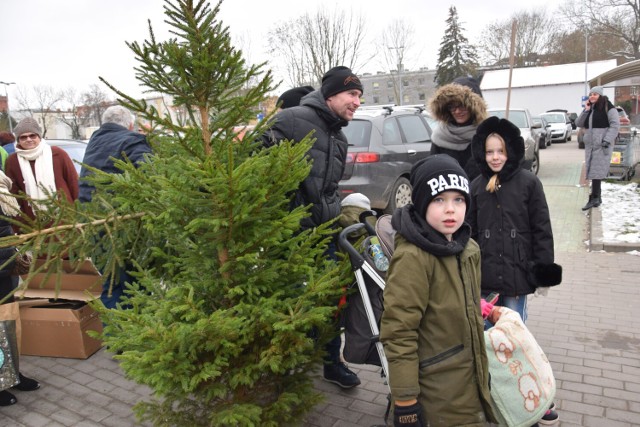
{"points": [[510, 220]]}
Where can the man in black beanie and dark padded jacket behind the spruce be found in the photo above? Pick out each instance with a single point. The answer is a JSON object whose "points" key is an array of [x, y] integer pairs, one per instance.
{"points": [[325, 112]]}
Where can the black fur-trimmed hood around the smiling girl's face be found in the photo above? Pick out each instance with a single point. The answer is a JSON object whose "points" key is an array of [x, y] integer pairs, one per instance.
{"points": [[513, 142]]}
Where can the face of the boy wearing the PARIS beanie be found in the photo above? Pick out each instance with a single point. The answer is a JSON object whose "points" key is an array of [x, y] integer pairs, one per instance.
{"points": [[446, 212]]}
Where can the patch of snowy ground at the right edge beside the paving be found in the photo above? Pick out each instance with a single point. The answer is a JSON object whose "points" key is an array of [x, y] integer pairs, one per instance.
{"points": [[620, 211]]}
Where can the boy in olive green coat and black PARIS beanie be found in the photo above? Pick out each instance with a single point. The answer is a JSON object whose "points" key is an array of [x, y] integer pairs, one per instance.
{"points": [[432, 326]]}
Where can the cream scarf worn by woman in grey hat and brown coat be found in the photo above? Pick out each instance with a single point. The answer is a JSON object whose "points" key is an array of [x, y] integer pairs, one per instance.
{"points": [[44, 180]]}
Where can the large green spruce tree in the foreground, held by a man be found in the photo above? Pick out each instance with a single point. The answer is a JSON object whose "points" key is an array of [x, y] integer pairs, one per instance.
{"points": [[232, 303]]}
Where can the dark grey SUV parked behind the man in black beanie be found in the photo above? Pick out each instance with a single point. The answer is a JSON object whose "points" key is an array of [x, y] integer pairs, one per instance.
{"points": [[384, 143]]}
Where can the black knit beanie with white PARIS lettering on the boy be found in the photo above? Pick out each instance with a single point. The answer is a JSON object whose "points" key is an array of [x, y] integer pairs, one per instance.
{"points": [[434, 175]]}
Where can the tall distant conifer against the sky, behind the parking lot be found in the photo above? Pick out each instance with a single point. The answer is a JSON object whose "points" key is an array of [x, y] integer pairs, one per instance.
{"points": [[456, 56]]}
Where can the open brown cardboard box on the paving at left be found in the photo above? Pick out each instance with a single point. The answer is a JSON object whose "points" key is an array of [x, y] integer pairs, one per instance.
{"points": [[56, 324]]}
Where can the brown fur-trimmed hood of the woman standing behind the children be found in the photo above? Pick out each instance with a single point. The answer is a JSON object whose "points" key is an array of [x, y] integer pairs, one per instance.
{"points": [[457, 93]]}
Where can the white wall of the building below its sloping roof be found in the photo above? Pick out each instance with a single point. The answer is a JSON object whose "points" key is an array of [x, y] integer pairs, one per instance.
{"points": [[539, 99]]}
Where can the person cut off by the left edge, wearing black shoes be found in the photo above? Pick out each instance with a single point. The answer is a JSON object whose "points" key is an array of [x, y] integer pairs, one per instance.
{"points": [[10, 207]]}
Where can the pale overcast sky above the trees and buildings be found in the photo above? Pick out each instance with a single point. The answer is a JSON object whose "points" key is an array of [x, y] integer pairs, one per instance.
{"points": [[69, 43]]}
